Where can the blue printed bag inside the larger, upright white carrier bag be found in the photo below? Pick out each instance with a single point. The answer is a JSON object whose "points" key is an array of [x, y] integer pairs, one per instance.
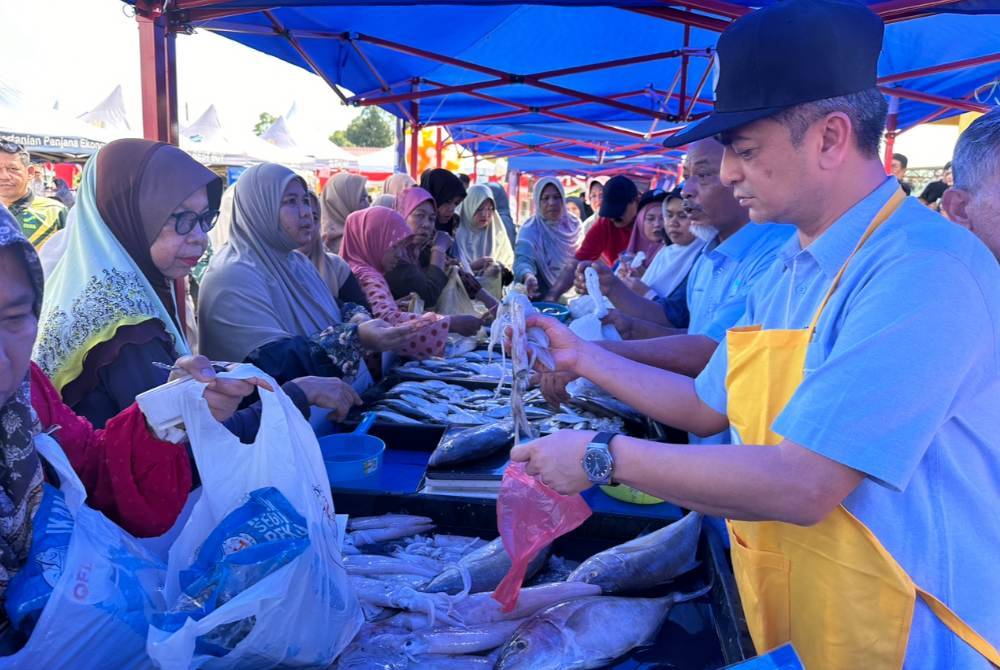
{"points": [[253, 541]]}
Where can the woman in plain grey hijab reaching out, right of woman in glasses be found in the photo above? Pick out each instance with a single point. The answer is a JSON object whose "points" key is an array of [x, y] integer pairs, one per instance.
{"points": [[264, 302]]}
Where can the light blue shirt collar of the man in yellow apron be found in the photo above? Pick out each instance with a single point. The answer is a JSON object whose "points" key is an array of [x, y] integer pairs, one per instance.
{"points": [[831, 249]]}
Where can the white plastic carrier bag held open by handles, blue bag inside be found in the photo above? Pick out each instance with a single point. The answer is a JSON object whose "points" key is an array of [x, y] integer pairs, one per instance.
{"points": [[305, 613]]}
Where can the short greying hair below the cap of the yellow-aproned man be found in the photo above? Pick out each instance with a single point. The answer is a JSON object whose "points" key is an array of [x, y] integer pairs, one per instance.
{"points": [[866, 109]]}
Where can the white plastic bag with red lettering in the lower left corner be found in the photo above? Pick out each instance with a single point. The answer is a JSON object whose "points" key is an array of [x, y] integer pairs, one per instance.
{"points": [[98, 613]]}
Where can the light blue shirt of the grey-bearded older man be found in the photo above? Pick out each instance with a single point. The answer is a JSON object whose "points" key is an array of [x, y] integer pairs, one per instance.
{"points": [[720, 280]]}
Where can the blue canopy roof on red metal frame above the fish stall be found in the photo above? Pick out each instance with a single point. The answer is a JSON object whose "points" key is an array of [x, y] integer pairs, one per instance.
{"points": [[633, 72]]}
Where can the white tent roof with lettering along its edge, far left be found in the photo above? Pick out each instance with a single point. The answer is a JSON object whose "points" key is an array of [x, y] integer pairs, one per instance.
{"points": [[46, 131]]}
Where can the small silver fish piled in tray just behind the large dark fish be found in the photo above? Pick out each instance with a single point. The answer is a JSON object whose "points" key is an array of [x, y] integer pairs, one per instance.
{"points": [[434, 401]]}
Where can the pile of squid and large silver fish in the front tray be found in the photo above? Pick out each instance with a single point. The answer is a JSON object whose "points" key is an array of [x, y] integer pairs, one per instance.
{"points": [[421, 619]]}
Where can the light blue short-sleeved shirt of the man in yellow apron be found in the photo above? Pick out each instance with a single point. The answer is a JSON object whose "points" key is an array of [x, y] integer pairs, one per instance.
{"points": [[902, 383]]}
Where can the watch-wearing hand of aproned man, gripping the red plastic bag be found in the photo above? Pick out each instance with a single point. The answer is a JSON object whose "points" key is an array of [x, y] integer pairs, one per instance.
{"points": [[557, 460]]}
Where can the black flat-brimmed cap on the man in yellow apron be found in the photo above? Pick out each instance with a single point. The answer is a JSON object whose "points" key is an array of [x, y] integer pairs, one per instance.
{"points": [[787, 54]]}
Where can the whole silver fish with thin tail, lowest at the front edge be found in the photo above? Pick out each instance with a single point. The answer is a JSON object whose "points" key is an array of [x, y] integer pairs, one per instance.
{"points": [[587, 632]]}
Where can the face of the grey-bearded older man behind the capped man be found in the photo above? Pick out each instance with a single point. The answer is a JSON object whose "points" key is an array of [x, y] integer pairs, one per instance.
{"points": [[707, 200]]}
